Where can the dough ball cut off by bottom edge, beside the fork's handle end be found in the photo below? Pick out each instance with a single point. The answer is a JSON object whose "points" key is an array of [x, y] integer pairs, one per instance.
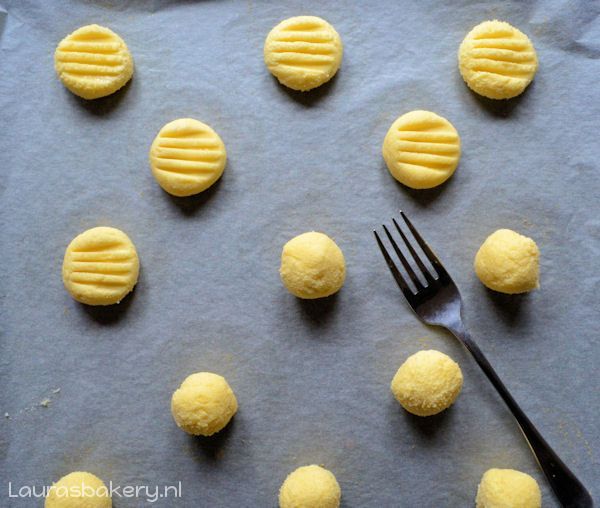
{"points": [[507, 488]]}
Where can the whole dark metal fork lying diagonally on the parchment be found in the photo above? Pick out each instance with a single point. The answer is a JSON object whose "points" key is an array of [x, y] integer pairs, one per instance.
{"points": [[438, 302]]}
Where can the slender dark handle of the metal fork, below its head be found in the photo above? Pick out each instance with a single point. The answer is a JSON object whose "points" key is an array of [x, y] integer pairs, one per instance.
{"points": [[568, 489]]}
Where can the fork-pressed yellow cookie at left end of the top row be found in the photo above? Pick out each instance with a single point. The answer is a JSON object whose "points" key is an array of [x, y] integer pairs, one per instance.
{"points": [[93, 62]]}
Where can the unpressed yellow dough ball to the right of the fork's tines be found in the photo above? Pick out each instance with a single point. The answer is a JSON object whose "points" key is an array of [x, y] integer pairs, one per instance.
{"points": [[508, 262]]}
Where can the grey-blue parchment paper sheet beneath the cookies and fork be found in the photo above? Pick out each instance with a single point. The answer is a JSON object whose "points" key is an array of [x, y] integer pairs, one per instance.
{"points": [[312, 378]]}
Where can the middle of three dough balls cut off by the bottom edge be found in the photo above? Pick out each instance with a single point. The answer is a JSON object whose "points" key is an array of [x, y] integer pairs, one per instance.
{"points": [[310, 487]]}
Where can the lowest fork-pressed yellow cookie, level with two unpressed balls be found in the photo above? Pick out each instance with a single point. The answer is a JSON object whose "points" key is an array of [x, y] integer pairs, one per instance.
{"points": [[100, 266]]}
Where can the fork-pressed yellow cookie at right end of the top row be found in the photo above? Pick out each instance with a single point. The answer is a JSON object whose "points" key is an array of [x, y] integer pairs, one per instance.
{"points": [[496, 60]]}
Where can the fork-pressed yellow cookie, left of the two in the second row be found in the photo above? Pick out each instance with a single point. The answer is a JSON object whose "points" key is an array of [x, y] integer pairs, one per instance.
{"points": [[187, 157]]}
